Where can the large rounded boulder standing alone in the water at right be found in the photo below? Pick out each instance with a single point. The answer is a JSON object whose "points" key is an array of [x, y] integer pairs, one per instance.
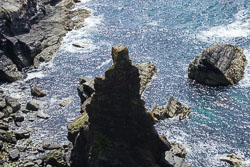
{"points": [[219, 65]]}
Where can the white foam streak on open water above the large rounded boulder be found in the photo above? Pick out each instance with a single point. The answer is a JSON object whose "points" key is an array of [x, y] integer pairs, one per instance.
{"points": [[240, 27]]}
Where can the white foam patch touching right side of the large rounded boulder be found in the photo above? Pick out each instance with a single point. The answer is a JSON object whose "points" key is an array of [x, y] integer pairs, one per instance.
{"points": [[245, 82]]}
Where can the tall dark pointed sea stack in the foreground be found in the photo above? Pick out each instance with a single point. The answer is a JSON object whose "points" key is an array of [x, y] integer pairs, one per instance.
{"points": [[120, 131]]}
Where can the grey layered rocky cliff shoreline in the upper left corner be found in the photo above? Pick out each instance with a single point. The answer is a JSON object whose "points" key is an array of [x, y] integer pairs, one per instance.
{"points": [[31, 31]]}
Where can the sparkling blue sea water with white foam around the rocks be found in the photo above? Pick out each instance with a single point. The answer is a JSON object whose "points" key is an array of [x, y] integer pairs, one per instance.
{"points": [[169, 33]]}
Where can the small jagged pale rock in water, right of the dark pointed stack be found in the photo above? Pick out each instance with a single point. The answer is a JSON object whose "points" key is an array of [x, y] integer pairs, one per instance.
{"points": [[173, 108]]}
